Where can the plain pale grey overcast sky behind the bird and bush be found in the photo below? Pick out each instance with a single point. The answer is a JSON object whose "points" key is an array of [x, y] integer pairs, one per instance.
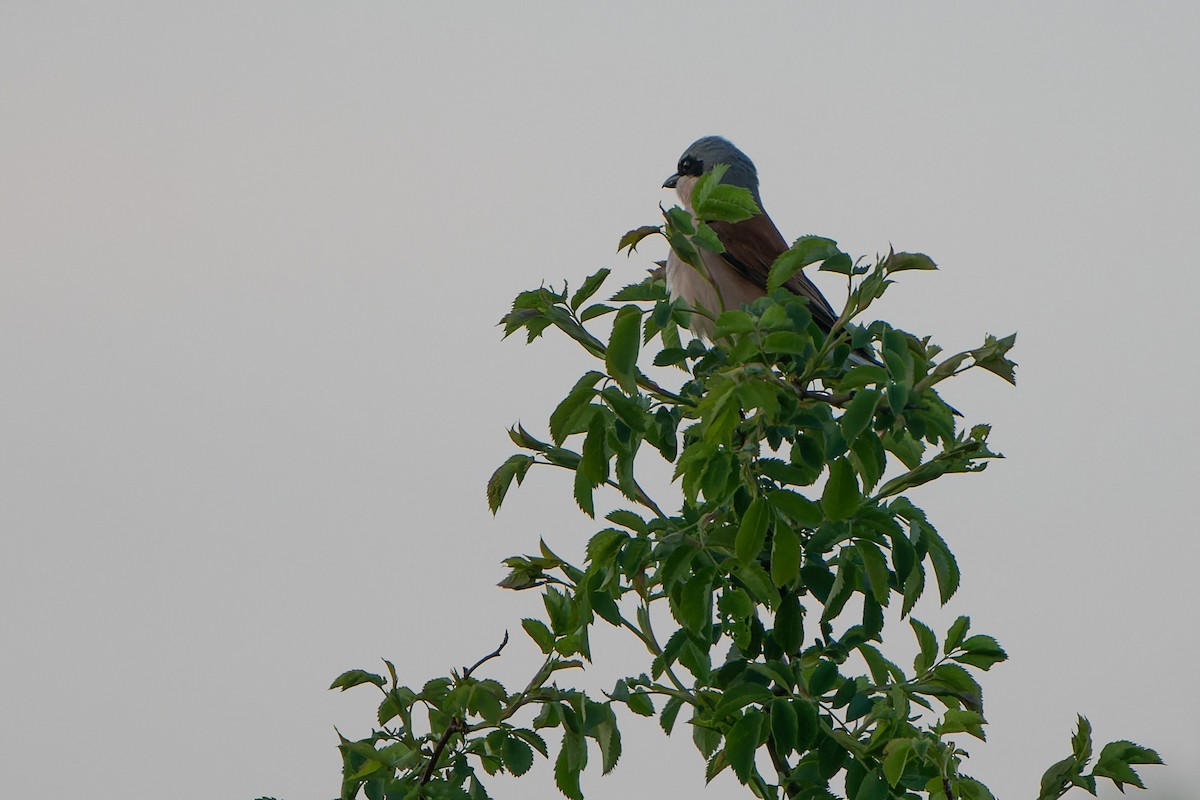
{"points": [[251, 262]]}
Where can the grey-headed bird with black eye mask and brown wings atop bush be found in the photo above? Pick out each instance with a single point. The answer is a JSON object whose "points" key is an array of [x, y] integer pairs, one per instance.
{"points": [[752, 246]]}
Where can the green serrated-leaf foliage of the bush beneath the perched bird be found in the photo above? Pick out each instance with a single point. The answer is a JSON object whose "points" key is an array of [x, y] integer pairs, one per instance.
{"points": [[793, 531]]}
